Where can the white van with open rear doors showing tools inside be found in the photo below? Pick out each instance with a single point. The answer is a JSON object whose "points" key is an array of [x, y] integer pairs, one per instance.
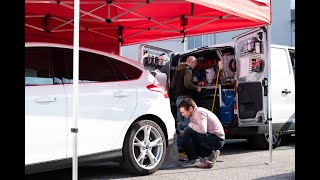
{"points": [[238, 94]]}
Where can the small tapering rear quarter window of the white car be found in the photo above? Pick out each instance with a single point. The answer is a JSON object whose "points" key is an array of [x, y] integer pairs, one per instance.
{"points": [[130, 71]]}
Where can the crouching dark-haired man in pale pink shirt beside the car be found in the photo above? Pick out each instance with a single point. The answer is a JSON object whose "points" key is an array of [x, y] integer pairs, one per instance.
{"points": [[204, 136]]}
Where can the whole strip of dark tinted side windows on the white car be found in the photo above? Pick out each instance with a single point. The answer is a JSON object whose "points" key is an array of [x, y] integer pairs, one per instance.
{"points": [[50, 65]]}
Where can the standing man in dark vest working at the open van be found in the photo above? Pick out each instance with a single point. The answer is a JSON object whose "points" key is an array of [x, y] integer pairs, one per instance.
{"points": [[181, 82]]}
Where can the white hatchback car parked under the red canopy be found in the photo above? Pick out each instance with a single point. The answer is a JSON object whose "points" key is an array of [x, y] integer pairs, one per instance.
{"points": [[124, 113]]}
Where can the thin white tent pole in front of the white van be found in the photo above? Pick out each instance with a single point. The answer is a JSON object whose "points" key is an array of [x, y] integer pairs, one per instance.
{"points": [[269, 114]]}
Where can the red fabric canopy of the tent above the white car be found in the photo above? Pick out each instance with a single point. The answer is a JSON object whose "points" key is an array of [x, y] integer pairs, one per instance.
{"points": [[104, 23]]}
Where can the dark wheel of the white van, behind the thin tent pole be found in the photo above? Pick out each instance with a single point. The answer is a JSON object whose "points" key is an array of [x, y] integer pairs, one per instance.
{"points": [[262, 140]]}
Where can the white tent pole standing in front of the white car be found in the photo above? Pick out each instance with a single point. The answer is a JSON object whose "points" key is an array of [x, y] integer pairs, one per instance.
{"points": [[74, 130]]}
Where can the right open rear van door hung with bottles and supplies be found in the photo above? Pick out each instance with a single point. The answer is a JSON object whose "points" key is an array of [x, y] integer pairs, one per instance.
{"points": [[251, 57]]}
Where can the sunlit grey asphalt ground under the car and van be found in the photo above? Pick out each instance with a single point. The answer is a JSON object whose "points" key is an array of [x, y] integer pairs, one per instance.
{"points": [[238, 160]]}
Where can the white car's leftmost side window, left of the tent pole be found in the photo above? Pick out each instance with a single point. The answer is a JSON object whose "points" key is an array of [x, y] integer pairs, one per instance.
{"points": [[38, 67]]}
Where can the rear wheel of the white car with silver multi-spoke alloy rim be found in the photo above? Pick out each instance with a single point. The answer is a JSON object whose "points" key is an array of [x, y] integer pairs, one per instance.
{"points": [[144, 148]]}
